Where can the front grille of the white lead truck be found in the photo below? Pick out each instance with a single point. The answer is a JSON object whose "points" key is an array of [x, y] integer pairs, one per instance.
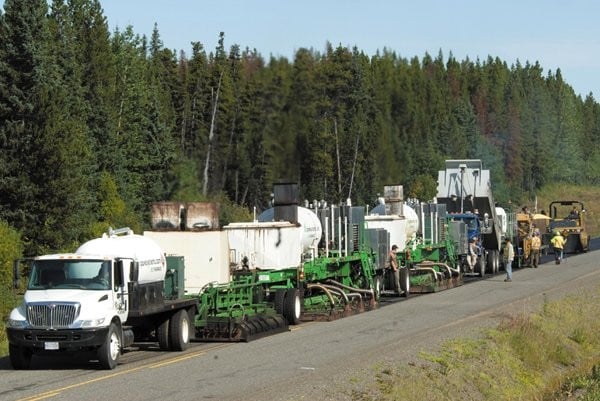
{"points": [[51, 315]]}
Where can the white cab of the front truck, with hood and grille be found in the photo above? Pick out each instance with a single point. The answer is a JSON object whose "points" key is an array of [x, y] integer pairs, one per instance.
{"points": [[70, 304]]}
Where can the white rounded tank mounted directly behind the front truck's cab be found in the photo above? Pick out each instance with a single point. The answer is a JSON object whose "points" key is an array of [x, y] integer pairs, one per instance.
{"points": [[151, 259]]}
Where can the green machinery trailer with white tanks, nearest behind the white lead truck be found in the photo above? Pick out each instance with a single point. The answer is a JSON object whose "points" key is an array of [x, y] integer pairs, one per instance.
{"points": [[285, 271]]}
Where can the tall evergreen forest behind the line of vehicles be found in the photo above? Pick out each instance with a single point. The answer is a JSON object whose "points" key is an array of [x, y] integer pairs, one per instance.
{"points": [[96, 125]]}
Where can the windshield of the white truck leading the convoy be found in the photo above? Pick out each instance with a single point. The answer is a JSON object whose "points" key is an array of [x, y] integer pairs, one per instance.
{"points": [[75, 274]]}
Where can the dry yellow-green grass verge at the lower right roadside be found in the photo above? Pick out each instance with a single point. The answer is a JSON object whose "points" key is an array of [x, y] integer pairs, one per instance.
{"points": [[546, 356]]}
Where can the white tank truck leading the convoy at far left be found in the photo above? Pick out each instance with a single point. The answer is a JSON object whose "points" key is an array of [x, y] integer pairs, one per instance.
{"points": [[111, 291]]}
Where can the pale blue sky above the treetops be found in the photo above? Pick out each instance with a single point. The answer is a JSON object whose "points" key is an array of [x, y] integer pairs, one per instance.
{"points": [[557, 33]]}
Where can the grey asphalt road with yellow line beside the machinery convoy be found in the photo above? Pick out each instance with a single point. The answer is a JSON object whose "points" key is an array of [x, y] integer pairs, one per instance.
{"points": [[314, 361]]}
